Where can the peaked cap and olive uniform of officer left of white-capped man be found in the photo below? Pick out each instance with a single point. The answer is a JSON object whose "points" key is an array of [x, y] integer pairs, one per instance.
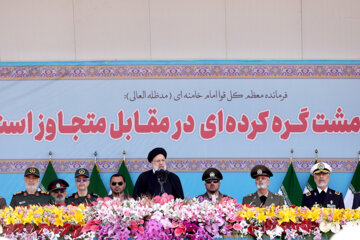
{"points": [[254, 199]]}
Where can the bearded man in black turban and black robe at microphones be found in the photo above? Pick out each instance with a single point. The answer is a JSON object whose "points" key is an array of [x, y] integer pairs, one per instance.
{"points": [[158, 180]]}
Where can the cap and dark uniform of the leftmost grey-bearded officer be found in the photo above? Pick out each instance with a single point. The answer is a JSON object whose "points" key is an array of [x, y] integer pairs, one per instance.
{"points": [[25, 199]]}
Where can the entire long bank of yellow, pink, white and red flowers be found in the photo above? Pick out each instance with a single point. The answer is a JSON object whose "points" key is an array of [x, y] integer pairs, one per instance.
{"points": [[164, 217]]}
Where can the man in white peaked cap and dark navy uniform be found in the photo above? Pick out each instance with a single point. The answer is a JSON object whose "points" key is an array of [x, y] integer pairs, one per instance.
{"points": [[322, 195]]}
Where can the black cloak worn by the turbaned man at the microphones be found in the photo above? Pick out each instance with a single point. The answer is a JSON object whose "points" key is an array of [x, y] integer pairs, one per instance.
{"points": [[147, 184]]}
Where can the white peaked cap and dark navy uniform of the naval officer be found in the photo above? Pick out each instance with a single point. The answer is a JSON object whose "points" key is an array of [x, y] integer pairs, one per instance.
{"points": [[330, 199]]}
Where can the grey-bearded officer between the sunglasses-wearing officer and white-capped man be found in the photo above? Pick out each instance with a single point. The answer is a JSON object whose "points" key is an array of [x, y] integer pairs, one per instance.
{"points": [[262, 197]]}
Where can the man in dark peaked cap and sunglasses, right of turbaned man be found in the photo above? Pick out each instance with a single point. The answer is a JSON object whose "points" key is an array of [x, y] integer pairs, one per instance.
{"points": [[212, 177]]}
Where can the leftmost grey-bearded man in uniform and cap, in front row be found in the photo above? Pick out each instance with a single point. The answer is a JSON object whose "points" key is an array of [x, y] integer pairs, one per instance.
{"points": [[30, 196]]}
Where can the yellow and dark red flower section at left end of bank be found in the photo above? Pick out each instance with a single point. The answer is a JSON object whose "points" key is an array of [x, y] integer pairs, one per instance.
{"points": [[47, 222]]}
